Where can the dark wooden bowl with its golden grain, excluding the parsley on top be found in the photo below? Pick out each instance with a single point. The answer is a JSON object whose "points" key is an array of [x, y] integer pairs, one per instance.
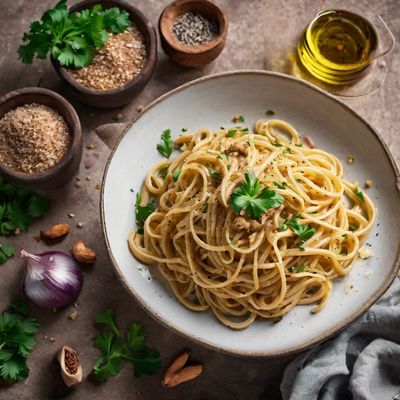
{"points": [[121, 68]]}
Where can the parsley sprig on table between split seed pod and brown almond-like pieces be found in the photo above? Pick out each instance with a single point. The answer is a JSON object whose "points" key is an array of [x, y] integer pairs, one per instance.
{"points": [[117, 350]]}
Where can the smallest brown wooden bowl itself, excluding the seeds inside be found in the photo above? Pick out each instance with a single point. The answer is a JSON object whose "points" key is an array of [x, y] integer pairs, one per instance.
{"points": [[187, 55]]}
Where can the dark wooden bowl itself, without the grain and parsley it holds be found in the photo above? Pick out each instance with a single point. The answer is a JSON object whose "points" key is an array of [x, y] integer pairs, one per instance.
{"points": [[123, 94]]}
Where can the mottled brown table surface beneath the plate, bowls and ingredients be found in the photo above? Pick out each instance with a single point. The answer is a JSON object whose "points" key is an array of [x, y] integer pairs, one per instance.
{"points": [[261, 33]]}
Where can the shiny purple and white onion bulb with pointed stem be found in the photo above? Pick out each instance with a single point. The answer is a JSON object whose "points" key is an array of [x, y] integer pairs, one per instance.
{"points": [[53, 279]]}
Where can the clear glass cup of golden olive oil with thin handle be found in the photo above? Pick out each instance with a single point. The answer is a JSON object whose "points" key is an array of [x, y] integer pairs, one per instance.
{"points": [[339, 49]]}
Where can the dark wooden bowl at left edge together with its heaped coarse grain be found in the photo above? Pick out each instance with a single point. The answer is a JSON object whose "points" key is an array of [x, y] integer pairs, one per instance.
{"points": [[40, 138]]}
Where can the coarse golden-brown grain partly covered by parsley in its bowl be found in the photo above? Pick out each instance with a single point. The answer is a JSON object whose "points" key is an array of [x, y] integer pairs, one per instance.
{"points": [[121, 58]]}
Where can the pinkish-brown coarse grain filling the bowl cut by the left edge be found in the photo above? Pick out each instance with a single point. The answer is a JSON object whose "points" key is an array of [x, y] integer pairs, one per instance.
{"points": [[33, 138]]}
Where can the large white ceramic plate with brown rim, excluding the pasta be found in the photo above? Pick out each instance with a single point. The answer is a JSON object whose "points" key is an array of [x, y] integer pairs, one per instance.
{"points": [[211, 102]]}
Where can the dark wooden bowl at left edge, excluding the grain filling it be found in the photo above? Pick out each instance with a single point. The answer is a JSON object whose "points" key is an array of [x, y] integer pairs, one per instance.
{"points": [[63, 171]]}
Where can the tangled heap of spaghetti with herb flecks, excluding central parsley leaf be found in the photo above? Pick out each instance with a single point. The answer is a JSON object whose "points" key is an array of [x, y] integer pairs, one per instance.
{"points": [[245, 268]]}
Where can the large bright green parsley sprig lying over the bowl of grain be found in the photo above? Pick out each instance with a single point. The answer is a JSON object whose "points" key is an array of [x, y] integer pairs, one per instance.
{"points": [[71, 38]]}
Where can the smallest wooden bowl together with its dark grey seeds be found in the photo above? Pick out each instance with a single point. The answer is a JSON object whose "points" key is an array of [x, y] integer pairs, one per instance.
{"points": [[193, 32]]}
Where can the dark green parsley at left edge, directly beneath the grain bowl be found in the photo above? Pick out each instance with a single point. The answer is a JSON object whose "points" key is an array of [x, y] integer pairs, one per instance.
{"points": [[19, 207]]}
